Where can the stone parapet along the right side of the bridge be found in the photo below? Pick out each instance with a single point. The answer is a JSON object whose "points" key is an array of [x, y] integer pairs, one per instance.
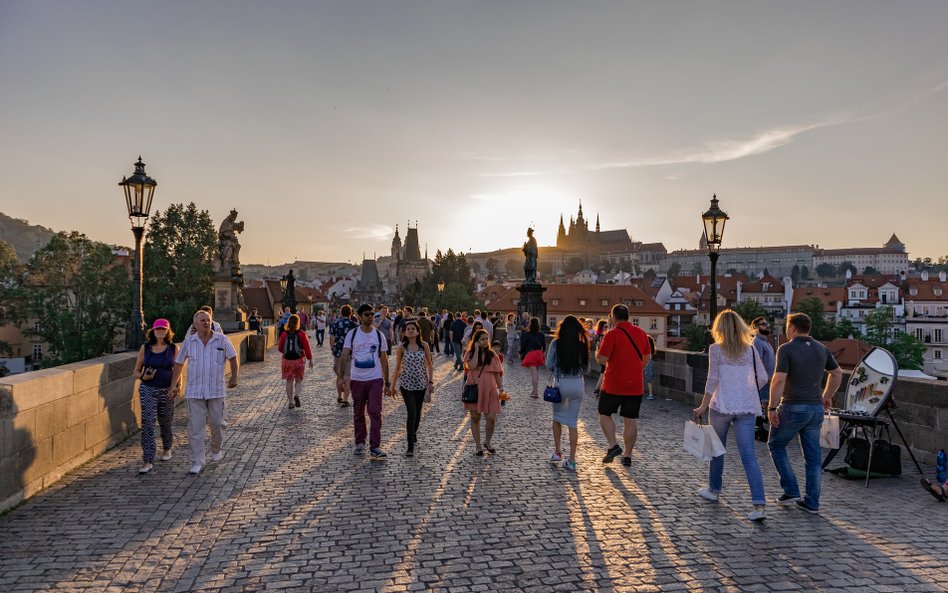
{"points": [[921, 406]]}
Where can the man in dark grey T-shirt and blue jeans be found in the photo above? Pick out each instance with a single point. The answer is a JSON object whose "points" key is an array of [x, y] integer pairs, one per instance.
{"points": [[801, 363]]}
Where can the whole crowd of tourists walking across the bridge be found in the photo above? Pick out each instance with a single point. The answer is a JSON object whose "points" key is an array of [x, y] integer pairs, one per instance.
{"points": [[750, 388]]}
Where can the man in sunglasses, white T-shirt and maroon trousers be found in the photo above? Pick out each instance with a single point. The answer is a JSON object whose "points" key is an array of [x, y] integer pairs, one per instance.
{"points": [[365, 347]]}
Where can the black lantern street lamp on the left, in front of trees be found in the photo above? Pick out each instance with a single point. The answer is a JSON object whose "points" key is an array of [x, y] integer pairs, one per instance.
{"points": [[139, 190]]}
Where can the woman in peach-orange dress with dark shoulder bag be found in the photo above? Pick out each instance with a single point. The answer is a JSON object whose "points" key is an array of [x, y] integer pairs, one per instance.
{"points": [[484, 368]]}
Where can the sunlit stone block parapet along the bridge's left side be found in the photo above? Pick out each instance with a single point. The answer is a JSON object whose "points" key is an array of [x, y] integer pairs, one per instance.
{"points": [[54, 420]]}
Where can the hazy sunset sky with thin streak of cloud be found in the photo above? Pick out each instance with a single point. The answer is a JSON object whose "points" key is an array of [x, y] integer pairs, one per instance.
{"points": [[325, 124]]}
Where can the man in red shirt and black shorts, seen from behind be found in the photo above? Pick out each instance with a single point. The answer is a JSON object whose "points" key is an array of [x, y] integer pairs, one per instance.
{"points": [[624, 352]]}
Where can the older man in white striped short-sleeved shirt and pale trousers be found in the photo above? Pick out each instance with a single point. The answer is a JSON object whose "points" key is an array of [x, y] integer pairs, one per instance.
{"points": [[206, 353]]}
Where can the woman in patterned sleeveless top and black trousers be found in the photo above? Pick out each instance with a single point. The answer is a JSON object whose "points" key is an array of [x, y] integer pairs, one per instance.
{"points": [[414, 376]]}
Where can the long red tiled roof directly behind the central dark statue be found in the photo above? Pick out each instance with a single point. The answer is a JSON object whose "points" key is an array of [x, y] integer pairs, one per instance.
{"points": [[565, 298]]}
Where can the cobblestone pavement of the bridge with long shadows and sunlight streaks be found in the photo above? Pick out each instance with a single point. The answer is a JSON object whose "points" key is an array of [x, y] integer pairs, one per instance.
{"points": [[291, 508]]}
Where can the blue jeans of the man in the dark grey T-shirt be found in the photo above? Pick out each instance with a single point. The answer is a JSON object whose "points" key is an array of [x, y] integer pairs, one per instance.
{"points": [[805, 420]]}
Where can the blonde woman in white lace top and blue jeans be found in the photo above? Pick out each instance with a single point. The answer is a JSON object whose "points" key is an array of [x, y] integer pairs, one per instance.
{"points": [[735, 373]]}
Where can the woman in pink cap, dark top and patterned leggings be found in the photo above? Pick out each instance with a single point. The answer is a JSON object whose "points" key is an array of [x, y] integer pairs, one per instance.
{"points": [[153, 367]]}
